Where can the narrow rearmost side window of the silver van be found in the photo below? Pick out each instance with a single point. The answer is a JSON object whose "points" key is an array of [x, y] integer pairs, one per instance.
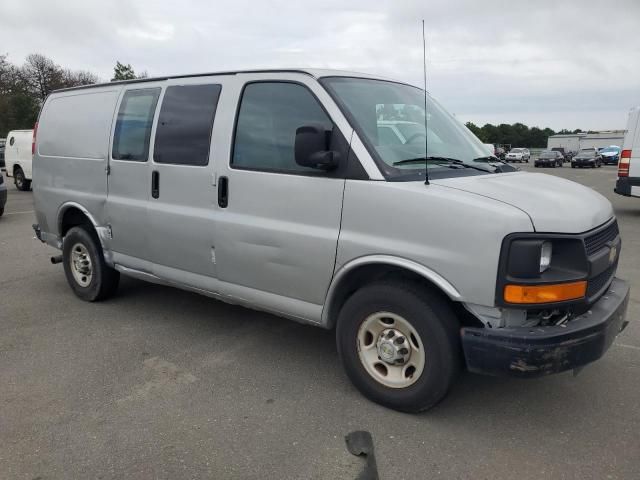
{"points": [[133, 126]]}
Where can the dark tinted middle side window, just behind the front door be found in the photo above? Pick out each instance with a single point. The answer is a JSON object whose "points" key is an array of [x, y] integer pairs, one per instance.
{"points": [[183, 134]]}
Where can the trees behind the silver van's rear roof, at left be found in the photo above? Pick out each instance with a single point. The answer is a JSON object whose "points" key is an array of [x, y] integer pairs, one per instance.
{"points": [[23, 88]]}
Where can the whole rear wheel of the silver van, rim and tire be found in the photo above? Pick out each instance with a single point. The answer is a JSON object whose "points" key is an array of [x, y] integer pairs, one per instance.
{"points": [[88, 275]]}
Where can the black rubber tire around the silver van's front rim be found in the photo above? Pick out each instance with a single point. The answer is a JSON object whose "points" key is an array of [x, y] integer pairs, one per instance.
{"points": [[433, 320]]}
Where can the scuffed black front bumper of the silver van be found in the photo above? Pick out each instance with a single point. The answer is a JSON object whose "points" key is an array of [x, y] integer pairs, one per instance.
{"points": [[537, 351]]}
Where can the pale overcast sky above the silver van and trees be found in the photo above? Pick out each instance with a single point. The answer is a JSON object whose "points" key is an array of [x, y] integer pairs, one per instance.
{"points": [[562, 64]]}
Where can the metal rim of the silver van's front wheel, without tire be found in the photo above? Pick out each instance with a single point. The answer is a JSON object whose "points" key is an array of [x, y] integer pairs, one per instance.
{"points": [[390, 350]]}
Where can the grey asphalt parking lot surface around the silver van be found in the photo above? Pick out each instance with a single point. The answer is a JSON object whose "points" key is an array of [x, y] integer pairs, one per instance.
{"points": [[162, 383]]}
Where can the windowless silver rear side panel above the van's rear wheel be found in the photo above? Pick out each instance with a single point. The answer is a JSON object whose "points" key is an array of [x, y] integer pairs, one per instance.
{"points": [[72, 146]]}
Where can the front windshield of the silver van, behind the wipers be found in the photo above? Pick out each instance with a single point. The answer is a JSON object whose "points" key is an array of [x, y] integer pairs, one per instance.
{"points": [[389, 118]]}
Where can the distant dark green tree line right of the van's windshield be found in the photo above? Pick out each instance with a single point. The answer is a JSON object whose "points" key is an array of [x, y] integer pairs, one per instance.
{"points": [[516, 135]]}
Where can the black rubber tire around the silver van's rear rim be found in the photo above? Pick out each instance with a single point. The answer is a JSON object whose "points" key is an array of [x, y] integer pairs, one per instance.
{"points": [[104, 280]]}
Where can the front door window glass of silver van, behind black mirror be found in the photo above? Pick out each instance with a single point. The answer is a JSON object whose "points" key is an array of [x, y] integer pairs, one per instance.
{"points": [[269, 116]]}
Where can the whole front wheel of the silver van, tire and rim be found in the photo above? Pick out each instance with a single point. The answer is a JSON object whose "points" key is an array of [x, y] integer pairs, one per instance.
{"points": [[399, 345]]}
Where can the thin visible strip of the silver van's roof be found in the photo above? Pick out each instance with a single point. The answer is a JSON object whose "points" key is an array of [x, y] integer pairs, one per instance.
{"points": [[313, 72]]}
